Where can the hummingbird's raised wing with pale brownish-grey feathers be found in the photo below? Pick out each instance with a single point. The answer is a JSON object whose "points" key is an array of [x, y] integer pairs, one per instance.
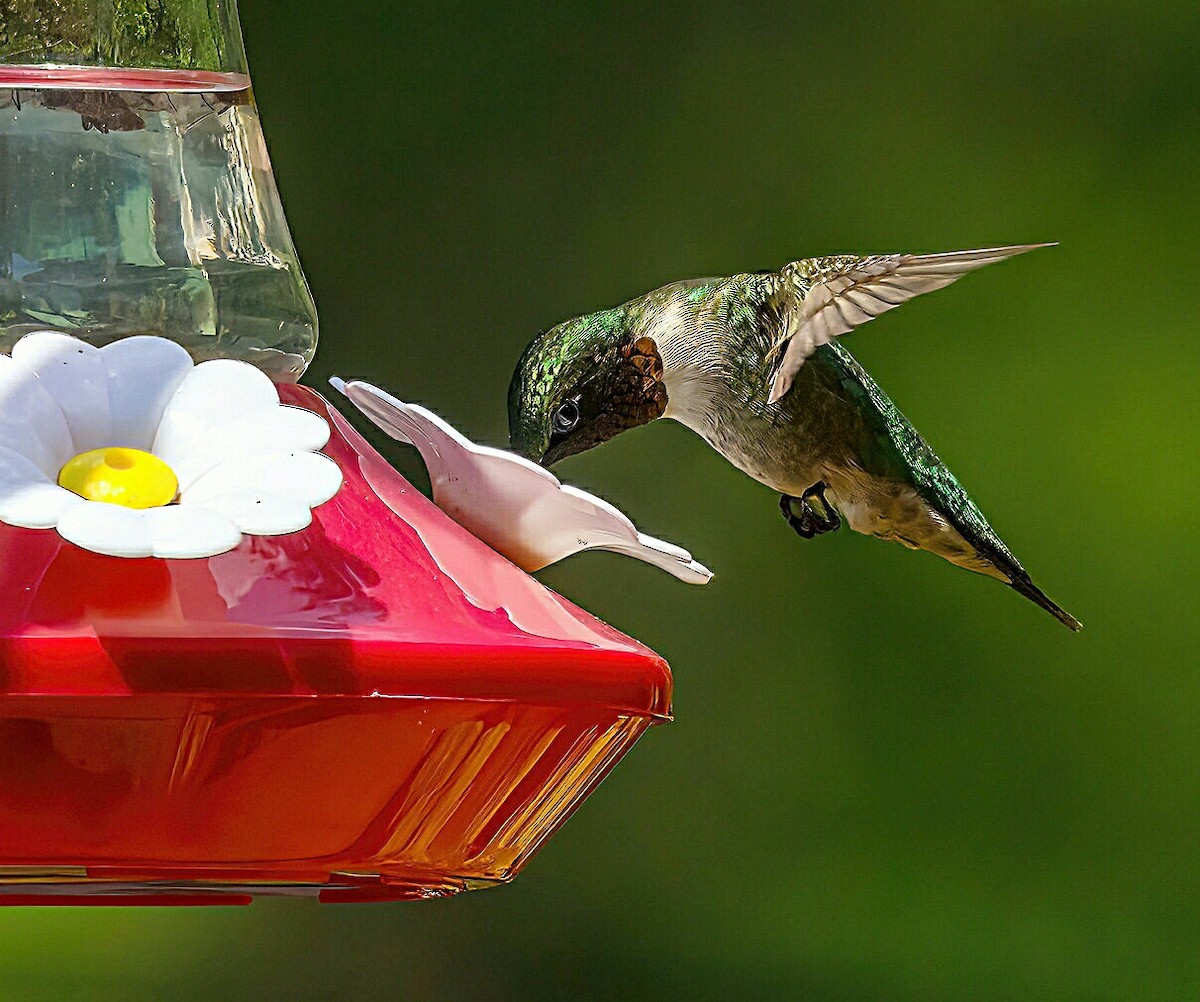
{"points": [[823, 298]]}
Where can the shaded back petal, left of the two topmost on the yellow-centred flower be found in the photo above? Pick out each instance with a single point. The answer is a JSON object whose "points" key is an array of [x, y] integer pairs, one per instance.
{"points": [[74, 374]]}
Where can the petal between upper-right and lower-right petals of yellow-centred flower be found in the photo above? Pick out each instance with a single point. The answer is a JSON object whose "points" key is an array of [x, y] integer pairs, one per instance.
{"points": [[193, 448]]}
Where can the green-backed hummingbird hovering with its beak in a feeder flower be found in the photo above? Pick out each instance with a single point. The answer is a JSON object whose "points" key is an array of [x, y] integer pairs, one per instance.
{"points": [[752, 364]]}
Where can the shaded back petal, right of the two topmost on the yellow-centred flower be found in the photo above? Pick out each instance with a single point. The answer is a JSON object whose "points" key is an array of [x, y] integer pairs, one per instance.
{"points": [[143, 374]]}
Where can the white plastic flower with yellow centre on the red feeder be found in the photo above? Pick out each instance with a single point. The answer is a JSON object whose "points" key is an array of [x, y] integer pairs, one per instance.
{"points": [[236, 460]]}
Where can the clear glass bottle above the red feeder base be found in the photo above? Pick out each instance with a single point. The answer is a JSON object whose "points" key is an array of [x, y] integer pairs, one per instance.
{"points": [[136, 190]]}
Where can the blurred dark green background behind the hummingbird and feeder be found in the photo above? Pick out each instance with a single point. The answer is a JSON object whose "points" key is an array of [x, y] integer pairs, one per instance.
{"points": [[889, 778]]}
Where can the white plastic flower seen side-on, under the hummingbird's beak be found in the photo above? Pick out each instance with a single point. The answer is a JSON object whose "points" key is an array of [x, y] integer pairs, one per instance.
{"points": [[513, 505]]}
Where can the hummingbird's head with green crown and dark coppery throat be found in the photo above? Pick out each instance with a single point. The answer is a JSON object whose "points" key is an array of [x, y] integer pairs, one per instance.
{"points": [[580, 383]]}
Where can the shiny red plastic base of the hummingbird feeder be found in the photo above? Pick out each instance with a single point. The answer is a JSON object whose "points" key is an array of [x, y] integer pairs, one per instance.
{"points": [[376, 709]]}
